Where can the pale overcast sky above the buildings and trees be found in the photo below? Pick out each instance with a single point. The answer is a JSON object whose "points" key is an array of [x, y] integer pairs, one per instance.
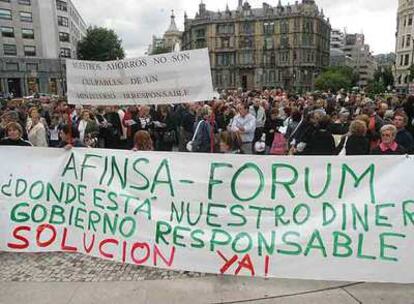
{"points": [[135, 21]]}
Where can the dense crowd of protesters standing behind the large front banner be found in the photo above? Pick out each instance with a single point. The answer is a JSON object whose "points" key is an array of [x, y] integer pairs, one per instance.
{"points": [[269, 122]]}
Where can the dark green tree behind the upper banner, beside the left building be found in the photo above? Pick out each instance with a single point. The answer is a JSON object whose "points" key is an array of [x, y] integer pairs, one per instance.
{"points": [[100, 44]]}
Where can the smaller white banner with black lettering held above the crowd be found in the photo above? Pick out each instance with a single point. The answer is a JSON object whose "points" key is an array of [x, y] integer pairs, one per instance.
{"points": [[161, 79]]}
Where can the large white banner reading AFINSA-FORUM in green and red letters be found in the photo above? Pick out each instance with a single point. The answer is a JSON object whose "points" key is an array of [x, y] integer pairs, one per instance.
{"points": [[326, 218]]}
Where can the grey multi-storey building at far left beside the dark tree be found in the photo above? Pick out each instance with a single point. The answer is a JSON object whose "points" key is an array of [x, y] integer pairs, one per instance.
{"points": [[36, 36]]}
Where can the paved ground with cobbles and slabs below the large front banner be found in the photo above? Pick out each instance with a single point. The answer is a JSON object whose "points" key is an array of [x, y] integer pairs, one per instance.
{"points": [[76, 279]]}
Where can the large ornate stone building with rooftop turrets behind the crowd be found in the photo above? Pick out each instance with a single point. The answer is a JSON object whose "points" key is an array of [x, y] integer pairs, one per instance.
{"points": [[267, 47]]}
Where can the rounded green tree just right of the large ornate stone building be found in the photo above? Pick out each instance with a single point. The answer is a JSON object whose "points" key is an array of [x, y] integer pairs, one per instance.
{"points": [[336, 78]]}
